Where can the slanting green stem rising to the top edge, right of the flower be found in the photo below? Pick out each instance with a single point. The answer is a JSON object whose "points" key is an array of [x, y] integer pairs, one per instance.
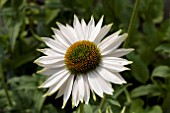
{"points": [[132, 21]]}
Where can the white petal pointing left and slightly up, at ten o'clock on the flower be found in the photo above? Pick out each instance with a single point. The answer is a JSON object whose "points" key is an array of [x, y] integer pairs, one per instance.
{"points": [[52, 44]]}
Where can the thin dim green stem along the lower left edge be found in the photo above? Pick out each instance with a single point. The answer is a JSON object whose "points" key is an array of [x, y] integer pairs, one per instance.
{"points": [[4, 83]]}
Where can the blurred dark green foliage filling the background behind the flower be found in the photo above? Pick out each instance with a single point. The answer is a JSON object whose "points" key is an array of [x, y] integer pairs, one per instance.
{"points": [[23, 22]]}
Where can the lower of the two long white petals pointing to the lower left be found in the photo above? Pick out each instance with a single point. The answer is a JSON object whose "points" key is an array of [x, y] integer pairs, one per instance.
{"points": [[55, 87]]}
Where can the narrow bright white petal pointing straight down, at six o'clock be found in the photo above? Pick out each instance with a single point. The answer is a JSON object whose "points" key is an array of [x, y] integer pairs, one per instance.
{"points": [[81, 88]]}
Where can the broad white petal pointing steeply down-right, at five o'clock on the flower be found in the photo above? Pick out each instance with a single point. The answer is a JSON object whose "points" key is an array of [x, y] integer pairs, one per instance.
{"points": [[94, 83]]}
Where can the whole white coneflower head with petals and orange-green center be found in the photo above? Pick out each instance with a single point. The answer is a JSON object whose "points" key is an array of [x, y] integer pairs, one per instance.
{"points": [[79, 61]]}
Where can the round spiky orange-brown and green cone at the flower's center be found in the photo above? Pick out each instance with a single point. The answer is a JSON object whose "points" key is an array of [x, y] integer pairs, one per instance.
{"points": [[82, 57]]}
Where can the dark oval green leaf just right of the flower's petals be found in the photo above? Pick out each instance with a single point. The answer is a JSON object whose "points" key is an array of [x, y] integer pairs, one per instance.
{"points": [[139, 69]]}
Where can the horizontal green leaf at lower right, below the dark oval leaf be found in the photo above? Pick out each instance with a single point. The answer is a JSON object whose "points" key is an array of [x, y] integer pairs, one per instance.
{"points": [[150, 89]]}
